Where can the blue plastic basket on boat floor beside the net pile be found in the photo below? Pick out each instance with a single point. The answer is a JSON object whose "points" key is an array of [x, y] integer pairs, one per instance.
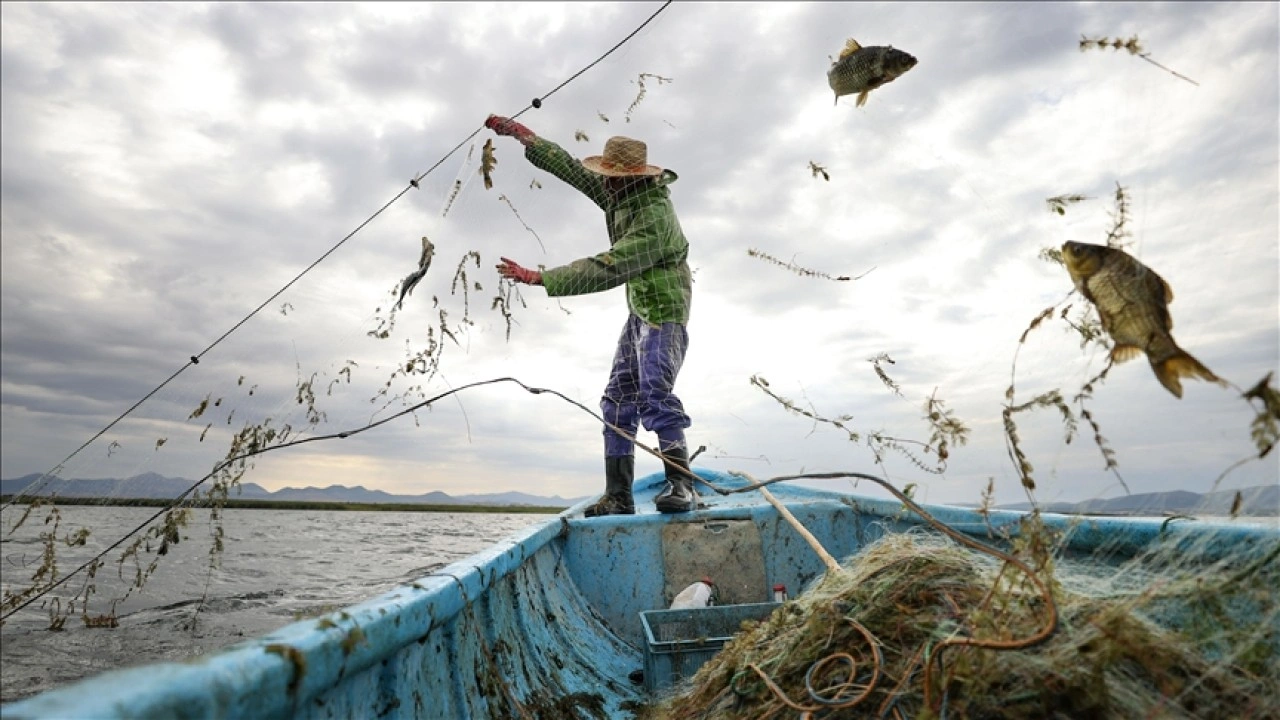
{"points": [[678, 642]]}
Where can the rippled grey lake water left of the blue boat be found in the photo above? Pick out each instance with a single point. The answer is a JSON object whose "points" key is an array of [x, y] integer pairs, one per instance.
{"points": [[278, 567]]}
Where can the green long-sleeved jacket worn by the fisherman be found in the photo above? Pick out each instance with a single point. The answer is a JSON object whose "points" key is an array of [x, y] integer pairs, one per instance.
{"points": [[647, 248]]}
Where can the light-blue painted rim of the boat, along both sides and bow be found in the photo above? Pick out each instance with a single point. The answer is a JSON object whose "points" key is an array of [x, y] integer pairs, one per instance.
{"points": [[262, 677]]}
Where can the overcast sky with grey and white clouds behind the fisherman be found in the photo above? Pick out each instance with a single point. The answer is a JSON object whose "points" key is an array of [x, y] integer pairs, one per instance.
{"points": [[167, 168]]}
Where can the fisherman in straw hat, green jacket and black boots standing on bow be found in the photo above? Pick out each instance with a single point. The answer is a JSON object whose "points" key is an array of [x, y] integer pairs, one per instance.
{"points": [[648, 254]]}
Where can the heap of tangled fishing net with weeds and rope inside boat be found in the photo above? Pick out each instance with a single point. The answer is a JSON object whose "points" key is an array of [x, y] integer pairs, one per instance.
{"points": [[1149, 639]]}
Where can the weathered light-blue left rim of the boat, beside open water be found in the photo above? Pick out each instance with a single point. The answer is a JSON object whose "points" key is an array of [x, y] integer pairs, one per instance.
{"points": [[272, 675]]}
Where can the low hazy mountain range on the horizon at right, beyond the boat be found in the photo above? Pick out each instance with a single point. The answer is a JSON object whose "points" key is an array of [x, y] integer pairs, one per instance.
{"points": [[1259, 502]]}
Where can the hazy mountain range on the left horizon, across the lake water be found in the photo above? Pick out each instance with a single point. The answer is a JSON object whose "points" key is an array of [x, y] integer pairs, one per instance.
{"points": [[154, 486]]}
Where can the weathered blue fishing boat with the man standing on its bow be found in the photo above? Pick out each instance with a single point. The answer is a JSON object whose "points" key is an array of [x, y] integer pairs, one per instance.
{"points": [[548, 623]]}
